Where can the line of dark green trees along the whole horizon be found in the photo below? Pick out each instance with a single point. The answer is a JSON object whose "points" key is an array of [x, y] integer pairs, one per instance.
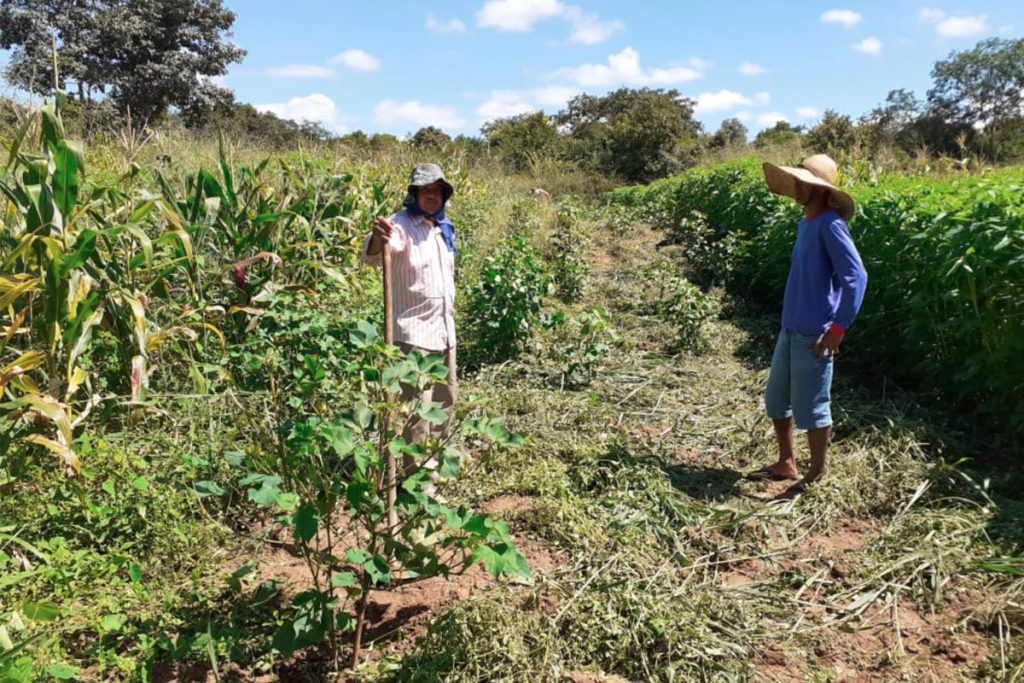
{"points": [[160, 60]]}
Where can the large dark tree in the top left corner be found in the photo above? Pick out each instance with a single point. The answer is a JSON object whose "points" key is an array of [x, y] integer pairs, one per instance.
{"points": [[146, 55]]}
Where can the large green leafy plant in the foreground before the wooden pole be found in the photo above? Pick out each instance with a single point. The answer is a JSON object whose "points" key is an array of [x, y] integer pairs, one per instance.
{"points": [[328, 479]]}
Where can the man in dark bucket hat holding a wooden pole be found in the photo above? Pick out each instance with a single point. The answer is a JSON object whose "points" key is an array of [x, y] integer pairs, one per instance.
{"points": [[422, 242]]}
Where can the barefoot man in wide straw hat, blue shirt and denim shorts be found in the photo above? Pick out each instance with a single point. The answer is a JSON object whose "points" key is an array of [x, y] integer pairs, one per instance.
{"points": [[824, 294]]}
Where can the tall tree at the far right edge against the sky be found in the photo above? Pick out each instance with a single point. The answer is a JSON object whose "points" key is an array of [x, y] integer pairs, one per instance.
{"points": [[982, 88]]}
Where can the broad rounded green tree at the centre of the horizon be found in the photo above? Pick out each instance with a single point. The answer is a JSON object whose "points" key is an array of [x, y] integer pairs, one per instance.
{"points": [[637, 135]]}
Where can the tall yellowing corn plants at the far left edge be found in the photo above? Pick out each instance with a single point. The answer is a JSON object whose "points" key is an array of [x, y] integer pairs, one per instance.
{"points": [[71, 265]]}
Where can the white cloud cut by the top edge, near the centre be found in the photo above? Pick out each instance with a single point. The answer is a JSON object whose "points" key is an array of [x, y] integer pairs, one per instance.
{"points": [[521, 16]]}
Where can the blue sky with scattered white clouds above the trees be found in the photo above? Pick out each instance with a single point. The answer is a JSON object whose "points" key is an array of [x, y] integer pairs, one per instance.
{"points": [[395, 66]]}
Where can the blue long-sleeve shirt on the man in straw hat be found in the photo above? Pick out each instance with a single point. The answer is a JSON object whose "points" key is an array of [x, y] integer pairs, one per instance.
{"points": [[827, 279]]}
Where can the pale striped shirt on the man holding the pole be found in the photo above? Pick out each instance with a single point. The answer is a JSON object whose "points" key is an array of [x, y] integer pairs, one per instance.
{"points": [[423, 283]]}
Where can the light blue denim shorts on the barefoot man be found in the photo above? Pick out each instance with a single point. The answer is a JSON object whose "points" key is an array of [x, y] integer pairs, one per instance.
{"points": [[799, 385]]}
